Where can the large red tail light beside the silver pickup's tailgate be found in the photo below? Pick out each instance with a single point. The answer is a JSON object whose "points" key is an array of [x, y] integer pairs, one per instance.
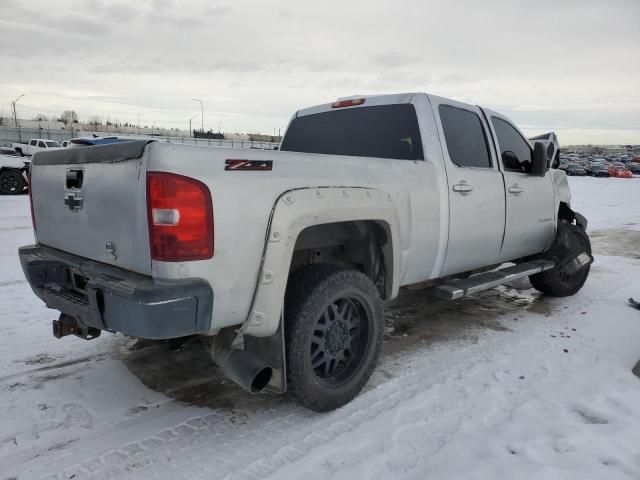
{"points": [[180, 216]]}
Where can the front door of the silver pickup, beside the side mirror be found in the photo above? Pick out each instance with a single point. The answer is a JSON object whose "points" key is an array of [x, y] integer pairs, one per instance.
{"points": [[531, 217]]}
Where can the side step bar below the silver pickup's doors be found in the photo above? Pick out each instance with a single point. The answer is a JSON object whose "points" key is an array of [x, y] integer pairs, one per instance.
{"points": [[483, 281]]}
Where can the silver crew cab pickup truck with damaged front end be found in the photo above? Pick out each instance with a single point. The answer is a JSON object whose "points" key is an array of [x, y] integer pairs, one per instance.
{"points": [[286, 257]]}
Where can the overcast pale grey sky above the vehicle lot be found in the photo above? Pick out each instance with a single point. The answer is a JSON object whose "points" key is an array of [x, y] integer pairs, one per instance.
{"points": [[572, 66]]}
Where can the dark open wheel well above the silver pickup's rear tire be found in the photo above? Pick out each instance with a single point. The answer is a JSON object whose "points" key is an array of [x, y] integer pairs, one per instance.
{"points": [[364, 245]]}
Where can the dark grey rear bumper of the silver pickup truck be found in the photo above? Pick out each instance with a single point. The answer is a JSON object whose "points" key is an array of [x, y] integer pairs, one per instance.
{"points": [[117, 300]]}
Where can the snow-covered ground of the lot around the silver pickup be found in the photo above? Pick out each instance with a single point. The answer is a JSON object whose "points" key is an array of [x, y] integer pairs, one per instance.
{"points": [[507, 384]]}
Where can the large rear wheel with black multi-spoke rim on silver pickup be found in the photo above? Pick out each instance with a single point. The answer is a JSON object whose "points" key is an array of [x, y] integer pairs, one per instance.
{"points": [[333, 335]]}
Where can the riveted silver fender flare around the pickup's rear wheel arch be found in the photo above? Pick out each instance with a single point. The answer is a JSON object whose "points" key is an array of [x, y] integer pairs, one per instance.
{"points": [[298, 209]]}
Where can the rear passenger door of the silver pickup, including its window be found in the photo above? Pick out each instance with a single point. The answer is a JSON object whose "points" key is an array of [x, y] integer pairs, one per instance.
{"points": [[475, 187]]}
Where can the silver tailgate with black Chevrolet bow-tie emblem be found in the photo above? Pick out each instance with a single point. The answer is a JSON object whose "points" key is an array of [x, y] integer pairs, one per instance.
{"points": [[91, 202]]}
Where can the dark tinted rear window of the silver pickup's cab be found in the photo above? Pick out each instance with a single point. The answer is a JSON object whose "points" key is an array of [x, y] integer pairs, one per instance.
{"points": [[384, 131]]}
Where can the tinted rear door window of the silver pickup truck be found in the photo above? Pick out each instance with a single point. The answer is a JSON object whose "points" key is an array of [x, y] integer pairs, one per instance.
{"points": [[465, 137]]}
